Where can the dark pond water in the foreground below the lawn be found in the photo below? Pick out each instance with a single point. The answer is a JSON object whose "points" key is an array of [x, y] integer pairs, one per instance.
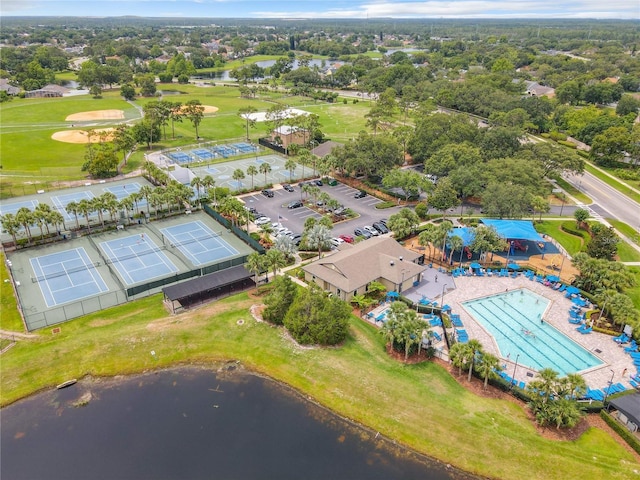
{"points": [[194, 423]]}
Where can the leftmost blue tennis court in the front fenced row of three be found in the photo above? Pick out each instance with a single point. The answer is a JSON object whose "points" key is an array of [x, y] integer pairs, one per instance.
{"points": [[67, 276]]}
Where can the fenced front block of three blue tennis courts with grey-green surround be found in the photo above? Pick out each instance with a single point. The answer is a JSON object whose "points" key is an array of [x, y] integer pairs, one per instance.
{"points": [[64, 280]]}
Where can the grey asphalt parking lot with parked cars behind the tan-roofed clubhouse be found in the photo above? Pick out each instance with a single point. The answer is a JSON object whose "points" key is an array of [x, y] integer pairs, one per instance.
{"points": [[293, 219]]}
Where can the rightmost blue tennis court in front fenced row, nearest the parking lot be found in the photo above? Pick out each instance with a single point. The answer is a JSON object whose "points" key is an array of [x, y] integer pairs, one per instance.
{"points": [[198, 242]]}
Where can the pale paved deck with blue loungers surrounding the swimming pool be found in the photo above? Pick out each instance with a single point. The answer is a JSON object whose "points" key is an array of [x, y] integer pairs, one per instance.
{"points": [[613, 355]]}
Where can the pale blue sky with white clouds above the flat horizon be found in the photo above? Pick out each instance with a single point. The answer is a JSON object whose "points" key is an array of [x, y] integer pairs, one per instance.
{"points": [[614, 9]]}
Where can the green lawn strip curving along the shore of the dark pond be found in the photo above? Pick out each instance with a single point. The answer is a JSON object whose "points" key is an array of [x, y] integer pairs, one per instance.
{"points": [[419, 405]]}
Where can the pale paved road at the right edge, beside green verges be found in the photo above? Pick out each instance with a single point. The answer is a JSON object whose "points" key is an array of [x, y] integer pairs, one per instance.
{"points": [[607, 201]]}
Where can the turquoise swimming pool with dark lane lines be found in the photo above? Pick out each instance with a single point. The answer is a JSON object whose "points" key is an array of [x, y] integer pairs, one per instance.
{"points": [[514, 320]]}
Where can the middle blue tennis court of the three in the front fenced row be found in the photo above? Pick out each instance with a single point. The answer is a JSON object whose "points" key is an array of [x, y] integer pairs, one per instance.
{"points": [[137, 258]]}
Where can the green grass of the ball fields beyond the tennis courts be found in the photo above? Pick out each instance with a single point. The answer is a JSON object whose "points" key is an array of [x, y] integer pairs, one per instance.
{"points": [[32, 160]]}
